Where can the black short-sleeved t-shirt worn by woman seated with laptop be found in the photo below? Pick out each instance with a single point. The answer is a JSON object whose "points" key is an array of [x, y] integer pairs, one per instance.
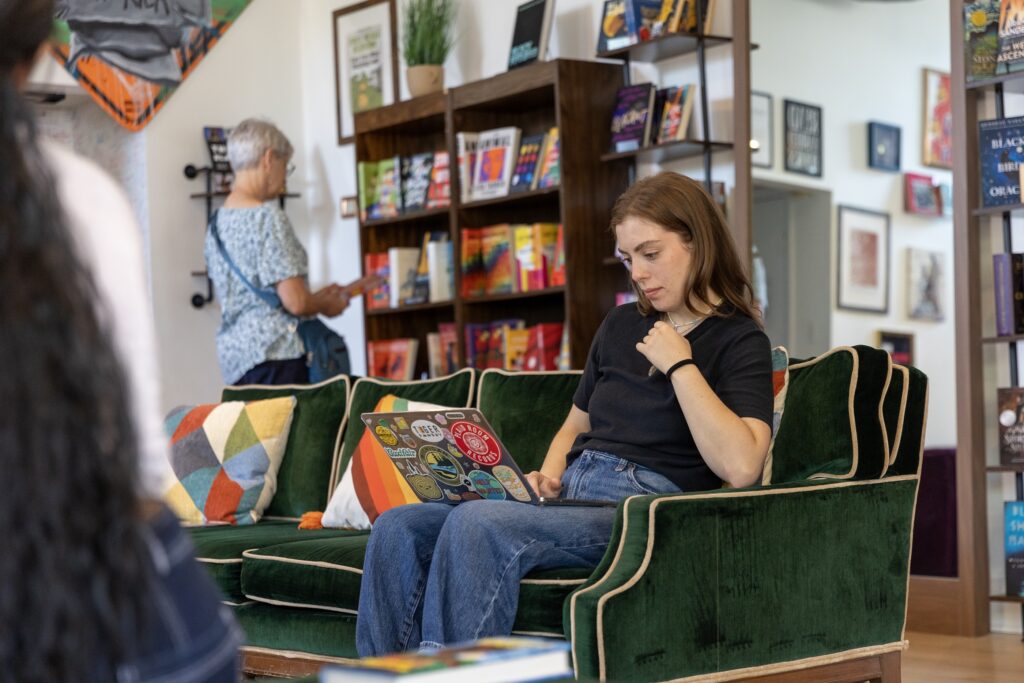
{"points": [[636, 416]]}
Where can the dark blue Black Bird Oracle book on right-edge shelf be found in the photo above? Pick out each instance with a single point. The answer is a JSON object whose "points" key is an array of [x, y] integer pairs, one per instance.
{"points": [[1001, 151]]}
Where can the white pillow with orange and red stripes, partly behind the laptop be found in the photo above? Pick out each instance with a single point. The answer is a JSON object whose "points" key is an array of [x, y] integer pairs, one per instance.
{"points": [[372, 485]]}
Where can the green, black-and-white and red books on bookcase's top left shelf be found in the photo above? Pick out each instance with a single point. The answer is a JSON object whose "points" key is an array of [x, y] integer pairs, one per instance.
{"points": [[403, 185]]}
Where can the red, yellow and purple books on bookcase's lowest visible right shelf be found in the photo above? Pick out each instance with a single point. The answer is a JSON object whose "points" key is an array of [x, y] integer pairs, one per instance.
{"points": [[510, 345]]}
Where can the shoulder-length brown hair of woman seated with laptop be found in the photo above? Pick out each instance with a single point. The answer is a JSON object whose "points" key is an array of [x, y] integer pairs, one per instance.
{"points": [[680, 205]]}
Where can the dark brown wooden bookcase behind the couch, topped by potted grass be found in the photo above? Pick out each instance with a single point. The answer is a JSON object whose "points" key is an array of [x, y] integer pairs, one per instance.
{"points": [[579, 99]]}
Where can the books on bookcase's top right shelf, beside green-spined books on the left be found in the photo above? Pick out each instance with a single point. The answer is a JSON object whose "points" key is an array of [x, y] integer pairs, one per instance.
{"points": [[498, 162]]}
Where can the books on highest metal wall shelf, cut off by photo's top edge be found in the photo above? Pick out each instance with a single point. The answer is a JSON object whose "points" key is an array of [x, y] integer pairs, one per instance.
{"points": [[626, 23]]}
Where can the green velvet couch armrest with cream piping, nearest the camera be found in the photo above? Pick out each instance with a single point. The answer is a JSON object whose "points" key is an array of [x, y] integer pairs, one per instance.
{"points": [[733, 580]]}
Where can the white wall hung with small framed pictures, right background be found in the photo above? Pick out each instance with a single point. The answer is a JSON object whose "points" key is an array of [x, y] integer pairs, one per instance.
{"points": [[870, 71]]}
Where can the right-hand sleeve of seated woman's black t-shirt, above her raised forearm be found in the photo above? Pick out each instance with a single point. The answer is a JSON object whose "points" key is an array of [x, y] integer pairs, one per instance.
{"points": [[745, 385]]}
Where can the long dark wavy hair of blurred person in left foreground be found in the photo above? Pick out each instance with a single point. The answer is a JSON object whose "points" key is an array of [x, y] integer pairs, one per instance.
{"points": [[74, 568]]}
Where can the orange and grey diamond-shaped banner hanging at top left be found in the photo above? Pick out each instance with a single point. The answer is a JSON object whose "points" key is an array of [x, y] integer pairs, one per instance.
{"points": [[132, 57]]}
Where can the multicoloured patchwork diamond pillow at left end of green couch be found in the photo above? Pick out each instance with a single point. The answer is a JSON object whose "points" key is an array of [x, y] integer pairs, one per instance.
{"points": [[226, 458]]}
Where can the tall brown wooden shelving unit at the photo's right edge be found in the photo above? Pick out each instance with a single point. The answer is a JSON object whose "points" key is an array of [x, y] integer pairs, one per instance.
{"points": [[961, 605]]}
